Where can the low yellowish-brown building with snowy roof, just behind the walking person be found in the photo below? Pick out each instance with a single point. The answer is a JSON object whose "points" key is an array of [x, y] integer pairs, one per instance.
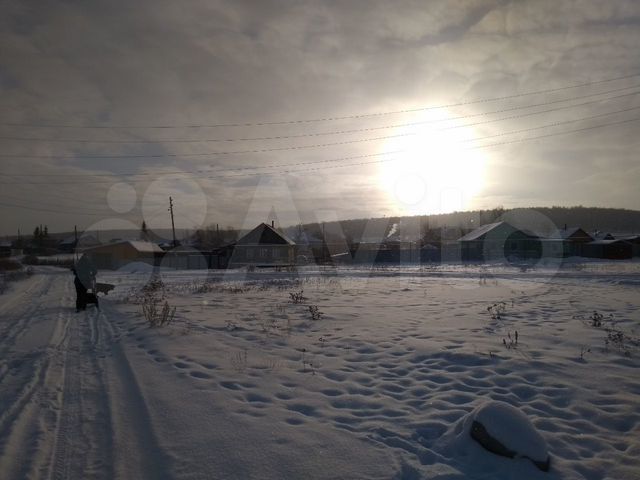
{"points": [[117, 254]]}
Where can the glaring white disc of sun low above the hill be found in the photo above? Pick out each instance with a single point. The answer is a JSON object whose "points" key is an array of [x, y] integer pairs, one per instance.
{"points": [[435, 169]]}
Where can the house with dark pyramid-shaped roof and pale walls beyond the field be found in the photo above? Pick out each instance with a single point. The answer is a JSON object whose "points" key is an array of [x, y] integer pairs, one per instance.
{"points": [[263, 246]]}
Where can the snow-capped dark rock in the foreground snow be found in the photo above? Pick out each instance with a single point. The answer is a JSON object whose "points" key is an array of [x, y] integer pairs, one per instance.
{"points": [[504, 430]]}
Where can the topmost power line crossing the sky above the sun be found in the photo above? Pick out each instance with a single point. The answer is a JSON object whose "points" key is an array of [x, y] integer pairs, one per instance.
{"points": [[326, 119]]}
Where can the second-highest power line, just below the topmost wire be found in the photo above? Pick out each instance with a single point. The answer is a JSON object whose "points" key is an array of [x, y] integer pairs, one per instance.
{"points": [[349, 131]]}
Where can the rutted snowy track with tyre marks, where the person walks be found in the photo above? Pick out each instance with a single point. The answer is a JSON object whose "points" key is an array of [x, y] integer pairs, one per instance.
{"points": [[71, 407]]}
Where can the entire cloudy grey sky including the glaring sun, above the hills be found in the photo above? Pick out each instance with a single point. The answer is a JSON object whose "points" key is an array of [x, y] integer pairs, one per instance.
{"points": [[314, 110]]}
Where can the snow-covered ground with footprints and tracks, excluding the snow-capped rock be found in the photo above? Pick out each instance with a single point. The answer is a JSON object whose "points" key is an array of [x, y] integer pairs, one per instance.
{"points": [[347, 374]]}
